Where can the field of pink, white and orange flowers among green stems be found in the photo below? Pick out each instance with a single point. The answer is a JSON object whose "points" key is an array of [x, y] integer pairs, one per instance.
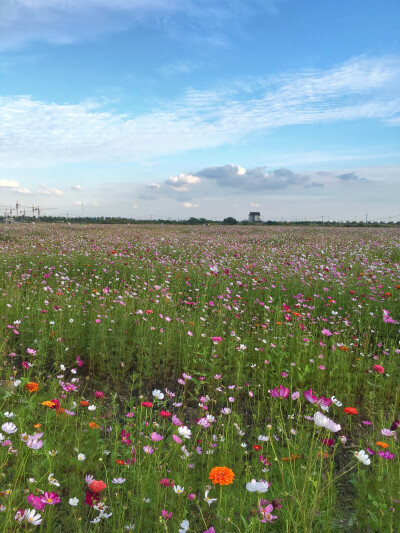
{"points": [[201, 379]]}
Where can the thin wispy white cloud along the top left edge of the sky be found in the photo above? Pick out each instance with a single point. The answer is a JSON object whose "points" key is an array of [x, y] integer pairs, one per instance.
{"points": [[68, 21]]}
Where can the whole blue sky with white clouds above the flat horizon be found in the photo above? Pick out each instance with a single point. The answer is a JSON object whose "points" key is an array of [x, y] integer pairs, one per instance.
{"points": [[201, 108]]}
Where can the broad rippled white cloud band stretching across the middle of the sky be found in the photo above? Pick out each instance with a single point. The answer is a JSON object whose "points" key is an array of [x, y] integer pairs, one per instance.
{"points": [[41, 133]]}
